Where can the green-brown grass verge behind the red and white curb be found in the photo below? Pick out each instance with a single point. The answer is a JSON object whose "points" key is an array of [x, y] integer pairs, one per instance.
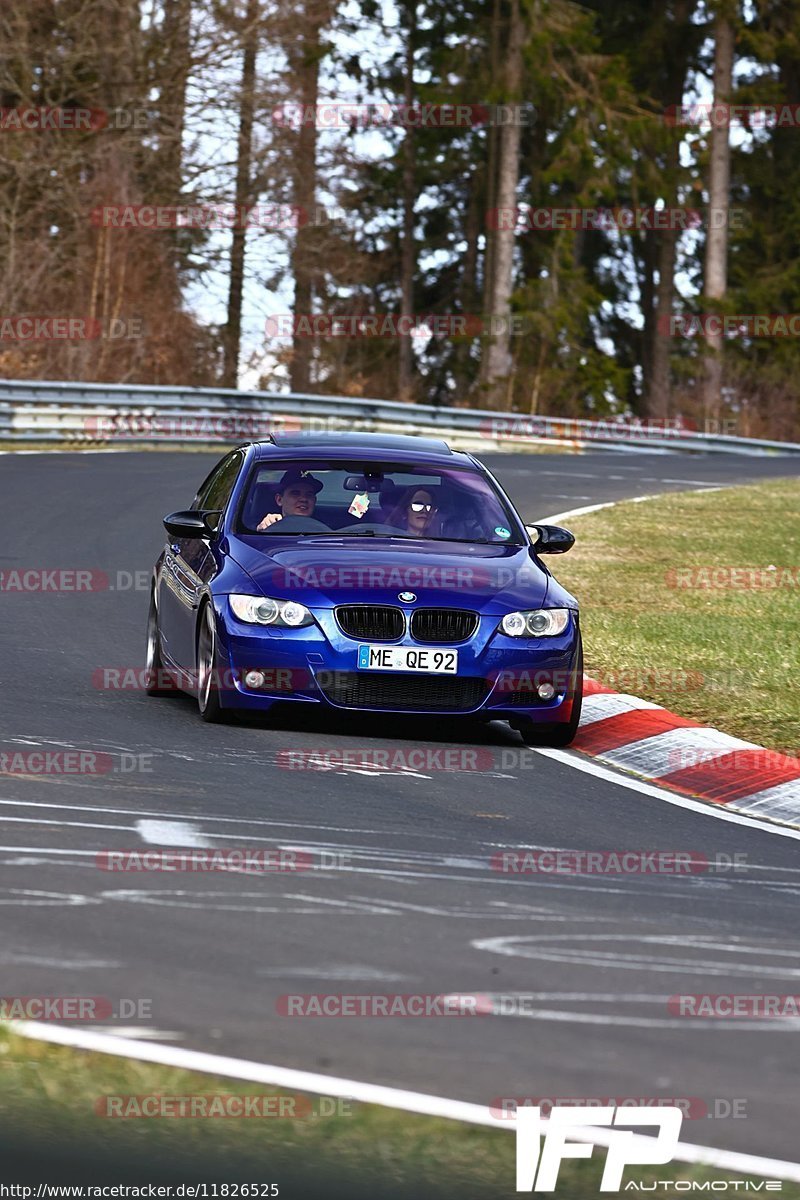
{"points": [[666, 619]]}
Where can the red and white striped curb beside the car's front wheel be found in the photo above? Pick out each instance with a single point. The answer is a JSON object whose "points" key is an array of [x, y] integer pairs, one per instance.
{"points": [[684, 757]]}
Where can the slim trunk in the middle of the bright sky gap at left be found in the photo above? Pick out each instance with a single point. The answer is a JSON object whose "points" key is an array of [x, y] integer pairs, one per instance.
{"points": [[244, 199]]}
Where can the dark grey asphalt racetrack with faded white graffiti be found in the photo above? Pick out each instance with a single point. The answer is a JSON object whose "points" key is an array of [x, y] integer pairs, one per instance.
{"points": [[414, 907]]}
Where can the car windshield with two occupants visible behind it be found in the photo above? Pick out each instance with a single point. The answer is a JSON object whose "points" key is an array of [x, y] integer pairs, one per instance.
{"points": [[376, 500]]}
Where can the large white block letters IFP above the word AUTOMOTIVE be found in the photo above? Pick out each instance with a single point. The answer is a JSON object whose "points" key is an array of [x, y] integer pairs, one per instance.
{"points": [[538, 1169]]}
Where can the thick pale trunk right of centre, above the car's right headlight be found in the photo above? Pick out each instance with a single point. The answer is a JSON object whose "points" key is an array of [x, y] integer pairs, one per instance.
{"points": [[497, 358]]}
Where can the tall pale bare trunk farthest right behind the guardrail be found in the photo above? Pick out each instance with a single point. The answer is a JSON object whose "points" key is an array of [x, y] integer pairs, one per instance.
{"points": [[717, 243]]}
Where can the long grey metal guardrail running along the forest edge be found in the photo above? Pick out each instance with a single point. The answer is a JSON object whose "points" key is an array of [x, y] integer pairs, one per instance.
{"points": [[119, 415]]}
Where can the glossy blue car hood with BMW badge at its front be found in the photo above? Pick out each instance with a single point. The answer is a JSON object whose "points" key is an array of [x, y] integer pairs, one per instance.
{"points": [[328, 572]]}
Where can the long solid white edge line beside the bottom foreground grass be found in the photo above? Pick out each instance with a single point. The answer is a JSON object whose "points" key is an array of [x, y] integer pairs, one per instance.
{"points": [[378, 1094]]}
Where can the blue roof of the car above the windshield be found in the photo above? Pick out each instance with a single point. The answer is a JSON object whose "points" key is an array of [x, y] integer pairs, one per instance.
{"points": [[401, 447]]}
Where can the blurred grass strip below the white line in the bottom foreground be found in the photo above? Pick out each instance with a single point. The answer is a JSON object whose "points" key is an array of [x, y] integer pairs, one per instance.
{"points": [[51, 1130]]}
